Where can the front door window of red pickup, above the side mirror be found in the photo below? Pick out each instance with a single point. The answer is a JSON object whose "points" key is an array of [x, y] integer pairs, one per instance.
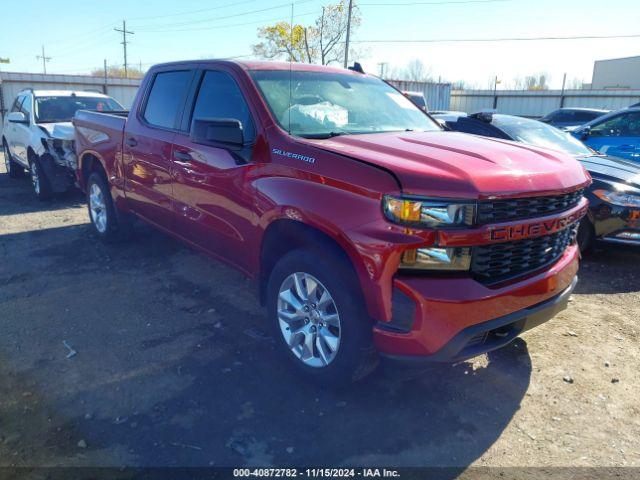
{"points": [[220, 97]]}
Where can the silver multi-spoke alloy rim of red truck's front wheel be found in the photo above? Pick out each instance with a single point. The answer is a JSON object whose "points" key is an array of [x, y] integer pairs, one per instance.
{"points": [[309, 320]]}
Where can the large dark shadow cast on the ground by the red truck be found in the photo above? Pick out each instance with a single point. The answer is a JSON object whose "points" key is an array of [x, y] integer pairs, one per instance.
{"points": [[174, 369]]}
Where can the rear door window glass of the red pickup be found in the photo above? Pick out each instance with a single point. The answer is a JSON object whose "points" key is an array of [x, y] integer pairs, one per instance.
{"points": [[166, 98]]}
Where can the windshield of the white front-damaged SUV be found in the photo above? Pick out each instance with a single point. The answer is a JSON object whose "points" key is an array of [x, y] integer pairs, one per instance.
{"points": [[63, 108]]}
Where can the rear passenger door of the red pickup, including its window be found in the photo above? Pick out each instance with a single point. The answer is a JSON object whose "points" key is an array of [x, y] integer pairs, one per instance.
{"points": [[148, 141]]}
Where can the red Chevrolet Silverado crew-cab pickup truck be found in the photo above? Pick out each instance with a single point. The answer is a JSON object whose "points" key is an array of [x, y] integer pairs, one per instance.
{"points": [[370, 231]]}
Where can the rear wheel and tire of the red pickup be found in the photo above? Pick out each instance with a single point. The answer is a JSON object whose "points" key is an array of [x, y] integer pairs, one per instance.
{"points": [[106, 224]]}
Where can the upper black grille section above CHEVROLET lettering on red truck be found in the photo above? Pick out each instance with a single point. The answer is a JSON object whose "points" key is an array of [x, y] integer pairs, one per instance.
{"points": [[520, 208]]}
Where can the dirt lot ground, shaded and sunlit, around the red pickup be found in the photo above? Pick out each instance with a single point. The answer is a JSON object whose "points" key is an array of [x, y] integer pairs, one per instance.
{"points": [[173, 367]]}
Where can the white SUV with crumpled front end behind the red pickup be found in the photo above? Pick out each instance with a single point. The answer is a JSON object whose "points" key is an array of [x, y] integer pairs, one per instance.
{"points": [[38, 136]]}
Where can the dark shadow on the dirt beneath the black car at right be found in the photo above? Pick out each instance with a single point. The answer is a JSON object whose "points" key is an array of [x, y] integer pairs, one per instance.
{"points": [[610, 268]]}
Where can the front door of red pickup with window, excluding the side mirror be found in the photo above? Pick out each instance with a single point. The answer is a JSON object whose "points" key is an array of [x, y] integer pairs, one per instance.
{"points": [[212, 199]]}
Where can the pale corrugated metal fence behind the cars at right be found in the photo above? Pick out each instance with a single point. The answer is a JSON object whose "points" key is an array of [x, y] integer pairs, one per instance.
{"points": [[539, 103]]}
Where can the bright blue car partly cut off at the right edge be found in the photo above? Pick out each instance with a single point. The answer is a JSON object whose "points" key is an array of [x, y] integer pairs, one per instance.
{"points": [[616, 134]]}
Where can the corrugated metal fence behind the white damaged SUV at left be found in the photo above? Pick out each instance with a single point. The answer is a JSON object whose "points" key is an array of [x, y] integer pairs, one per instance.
{"points": [[123, 90]]}
